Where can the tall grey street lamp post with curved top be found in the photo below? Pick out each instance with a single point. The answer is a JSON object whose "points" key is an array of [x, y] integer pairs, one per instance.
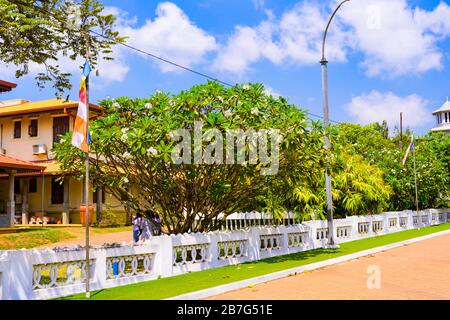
{"points": [[326, 122]]}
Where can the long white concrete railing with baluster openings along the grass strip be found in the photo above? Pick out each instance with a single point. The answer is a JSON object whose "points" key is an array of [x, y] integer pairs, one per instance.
{"points": [[43, 274]]}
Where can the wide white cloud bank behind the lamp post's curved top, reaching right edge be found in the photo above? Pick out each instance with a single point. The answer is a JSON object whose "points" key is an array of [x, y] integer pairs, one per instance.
{"points": [[394, 38]]}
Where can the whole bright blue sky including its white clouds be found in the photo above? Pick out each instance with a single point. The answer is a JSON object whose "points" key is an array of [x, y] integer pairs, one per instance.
{"points": [[385, 56]]}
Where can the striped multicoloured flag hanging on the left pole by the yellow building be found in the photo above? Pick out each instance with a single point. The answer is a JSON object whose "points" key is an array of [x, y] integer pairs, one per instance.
{"points": [[80, 138]]}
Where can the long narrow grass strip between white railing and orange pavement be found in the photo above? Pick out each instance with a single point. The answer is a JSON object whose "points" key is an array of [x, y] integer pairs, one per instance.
{"points": [[168, 287]]}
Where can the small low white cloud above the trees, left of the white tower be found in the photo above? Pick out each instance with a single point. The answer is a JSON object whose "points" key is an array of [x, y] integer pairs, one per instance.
{"points": [[378, 106]]}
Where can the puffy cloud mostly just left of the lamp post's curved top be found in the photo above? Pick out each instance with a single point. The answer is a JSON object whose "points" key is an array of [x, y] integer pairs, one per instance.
{"points": [[295, 37]]}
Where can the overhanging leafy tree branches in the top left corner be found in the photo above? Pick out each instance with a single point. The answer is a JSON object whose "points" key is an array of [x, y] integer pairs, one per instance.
{"points": [[40, 32]]}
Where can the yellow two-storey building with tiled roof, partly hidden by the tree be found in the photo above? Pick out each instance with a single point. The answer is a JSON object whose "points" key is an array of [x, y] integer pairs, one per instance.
{"points": [[28, 131]]}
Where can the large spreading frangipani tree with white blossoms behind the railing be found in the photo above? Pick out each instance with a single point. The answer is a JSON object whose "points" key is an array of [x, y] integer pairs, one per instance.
{"points": [[133, 153]]}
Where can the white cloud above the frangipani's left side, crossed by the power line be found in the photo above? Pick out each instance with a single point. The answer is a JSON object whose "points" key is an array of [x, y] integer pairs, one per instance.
{"points": [[171, 35]]}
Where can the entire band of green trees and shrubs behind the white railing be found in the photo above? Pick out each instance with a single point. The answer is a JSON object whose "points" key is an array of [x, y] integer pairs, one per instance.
{"points": [[132, 149]]}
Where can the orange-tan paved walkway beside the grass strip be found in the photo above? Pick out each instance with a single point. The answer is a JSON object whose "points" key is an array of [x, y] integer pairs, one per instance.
{"points": [[417, 271]]}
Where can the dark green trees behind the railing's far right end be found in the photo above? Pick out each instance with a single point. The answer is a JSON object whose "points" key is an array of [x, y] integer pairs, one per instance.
{"points": [[432, 163]]}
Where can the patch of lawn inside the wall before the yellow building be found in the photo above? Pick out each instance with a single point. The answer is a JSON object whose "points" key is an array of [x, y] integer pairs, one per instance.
{"points": [[31, 238]]}
